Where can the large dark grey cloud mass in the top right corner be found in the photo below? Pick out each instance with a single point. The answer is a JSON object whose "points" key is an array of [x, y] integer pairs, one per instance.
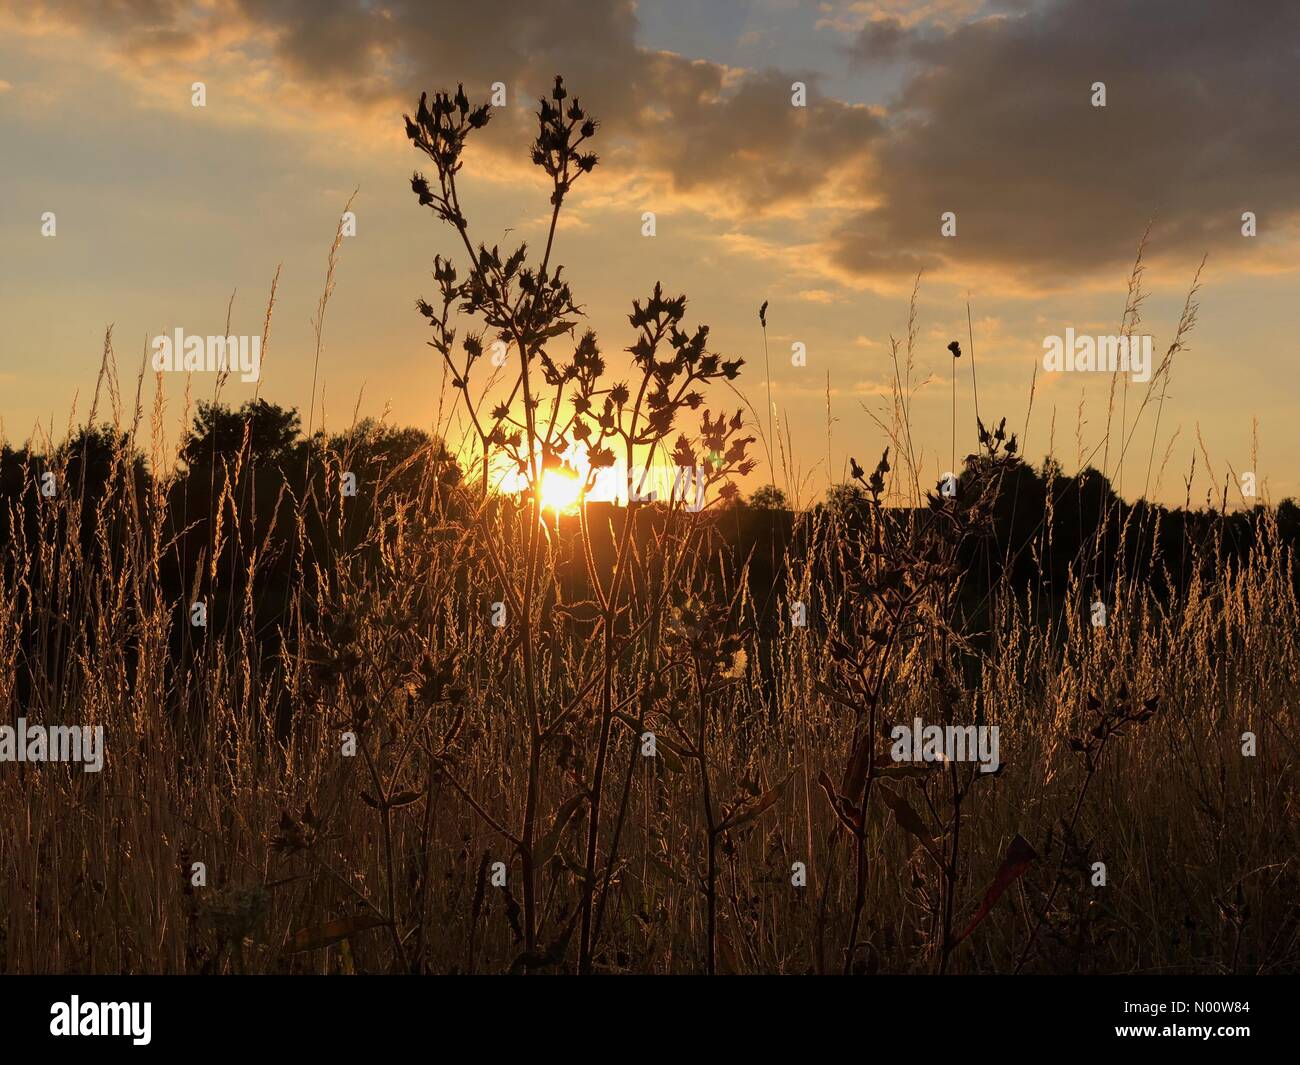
{"points": [[995, 123]]}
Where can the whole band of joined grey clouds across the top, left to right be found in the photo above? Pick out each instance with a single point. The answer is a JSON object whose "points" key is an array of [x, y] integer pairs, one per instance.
{"points": [[994, 120]]}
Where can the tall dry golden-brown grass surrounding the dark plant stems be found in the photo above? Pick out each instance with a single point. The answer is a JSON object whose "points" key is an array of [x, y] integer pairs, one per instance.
{"points": [[1198, 841]]}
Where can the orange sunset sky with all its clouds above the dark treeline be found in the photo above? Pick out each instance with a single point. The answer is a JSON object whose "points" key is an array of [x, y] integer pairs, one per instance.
{"points": [[168, 215]]}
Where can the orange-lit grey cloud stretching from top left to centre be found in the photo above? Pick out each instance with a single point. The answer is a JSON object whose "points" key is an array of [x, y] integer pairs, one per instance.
{"points": [[697, 125]]}
